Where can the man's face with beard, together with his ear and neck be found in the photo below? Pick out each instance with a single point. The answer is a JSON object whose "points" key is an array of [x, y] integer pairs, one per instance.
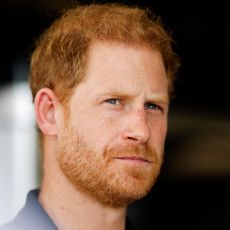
{"points": [[112, 138]]}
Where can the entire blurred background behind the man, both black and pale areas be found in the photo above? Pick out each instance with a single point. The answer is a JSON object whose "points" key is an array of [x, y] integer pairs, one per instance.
{"points": [[193, 189]]}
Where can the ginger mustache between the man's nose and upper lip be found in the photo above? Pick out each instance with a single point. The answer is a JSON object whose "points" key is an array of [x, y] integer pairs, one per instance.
{"points": [[144, 152]]}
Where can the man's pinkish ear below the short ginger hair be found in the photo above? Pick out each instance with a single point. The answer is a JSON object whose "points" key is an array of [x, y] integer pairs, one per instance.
{"points": [[46, 106]]}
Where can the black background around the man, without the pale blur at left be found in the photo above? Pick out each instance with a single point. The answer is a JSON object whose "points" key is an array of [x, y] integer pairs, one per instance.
{"points": [[193, 189]]}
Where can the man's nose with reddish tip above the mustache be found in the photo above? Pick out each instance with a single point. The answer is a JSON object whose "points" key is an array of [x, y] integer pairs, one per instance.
{"points": [[137, 128]]}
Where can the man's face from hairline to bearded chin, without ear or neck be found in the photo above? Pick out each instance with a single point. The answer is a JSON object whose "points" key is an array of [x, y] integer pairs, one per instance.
{"points": [[111, 144]]}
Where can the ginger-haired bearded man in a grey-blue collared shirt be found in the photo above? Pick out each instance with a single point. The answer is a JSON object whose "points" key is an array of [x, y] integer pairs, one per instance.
{"points": [[101, 78]]}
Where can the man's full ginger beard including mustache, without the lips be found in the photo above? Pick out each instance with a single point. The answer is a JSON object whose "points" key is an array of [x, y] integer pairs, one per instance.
{"points": [[100, 175]]}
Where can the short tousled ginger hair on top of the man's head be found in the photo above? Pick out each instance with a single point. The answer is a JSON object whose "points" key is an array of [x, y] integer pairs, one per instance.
{"points": [[60, 56]]}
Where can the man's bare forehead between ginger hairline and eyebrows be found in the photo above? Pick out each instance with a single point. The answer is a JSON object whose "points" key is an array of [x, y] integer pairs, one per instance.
{"points": [[112, 65]]}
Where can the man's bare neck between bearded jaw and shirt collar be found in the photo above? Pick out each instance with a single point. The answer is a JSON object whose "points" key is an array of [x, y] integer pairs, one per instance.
{"points": [[69, 208]]}
